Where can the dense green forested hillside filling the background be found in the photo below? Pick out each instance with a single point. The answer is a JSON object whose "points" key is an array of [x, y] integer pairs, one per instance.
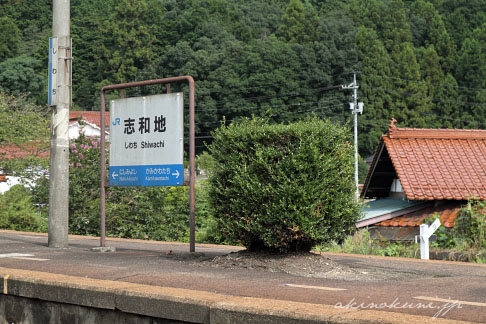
{"points": [[422, 62]]}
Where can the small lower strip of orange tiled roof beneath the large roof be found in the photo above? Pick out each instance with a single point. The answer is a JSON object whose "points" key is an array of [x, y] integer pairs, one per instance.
{"points": [[448, 213]]}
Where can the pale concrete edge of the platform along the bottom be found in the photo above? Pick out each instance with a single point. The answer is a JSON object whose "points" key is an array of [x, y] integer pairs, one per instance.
{"points": [[186, 305]]}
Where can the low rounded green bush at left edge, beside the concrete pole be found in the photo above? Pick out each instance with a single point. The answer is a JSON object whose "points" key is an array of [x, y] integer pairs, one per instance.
{"points": [[17, 211]]}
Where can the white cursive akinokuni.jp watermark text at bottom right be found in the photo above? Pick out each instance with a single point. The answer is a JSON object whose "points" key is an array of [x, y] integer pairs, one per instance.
{"points": [[441, 310]]}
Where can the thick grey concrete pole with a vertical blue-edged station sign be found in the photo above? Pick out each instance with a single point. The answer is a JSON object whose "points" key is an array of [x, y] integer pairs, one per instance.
{"points": [[60, 104]]}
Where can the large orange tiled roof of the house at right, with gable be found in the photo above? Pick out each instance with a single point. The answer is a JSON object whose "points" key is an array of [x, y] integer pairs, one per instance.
{"points": [[433, 164]]}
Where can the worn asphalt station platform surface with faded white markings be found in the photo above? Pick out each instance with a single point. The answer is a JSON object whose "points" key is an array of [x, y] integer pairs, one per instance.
{"points": [[438, 291]]}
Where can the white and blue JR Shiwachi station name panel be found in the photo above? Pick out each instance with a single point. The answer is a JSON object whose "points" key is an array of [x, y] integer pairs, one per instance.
{"points": [[147, 141]]}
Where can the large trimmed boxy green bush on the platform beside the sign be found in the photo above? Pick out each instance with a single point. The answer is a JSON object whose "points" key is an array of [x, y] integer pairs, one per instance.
{"points": [[283, 187]]}
